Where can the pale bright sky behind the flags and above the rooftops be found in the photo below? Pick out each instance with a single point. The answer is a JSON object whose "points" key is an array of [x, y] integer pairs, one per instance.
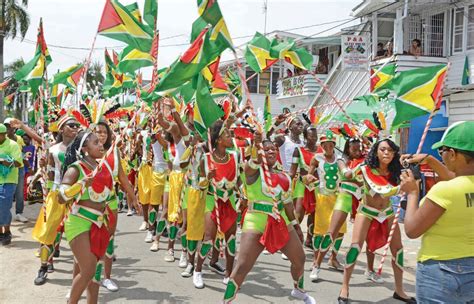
{"points": [[70, 24]]}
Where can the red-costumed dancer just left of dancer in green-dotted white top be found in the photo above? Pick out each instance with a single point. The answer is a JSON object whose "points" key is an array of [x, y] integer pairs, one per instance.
{"points": [[304, 196]]}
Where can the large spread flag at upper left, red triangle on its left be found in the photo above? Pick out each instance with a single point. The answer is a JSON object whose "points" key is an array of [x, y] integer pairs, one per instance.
{"points": [[119, 23]]}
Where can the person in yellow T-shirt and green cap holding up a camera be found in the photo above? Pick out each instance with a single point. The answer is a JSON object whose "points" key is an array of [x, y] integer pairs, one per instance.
{"points": [[444, 219]]}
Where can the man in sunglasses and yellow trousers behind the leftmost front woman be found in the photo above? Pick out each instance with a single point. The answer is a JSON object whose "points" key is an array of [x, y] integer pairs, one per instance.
{"points": [[50, 217]]}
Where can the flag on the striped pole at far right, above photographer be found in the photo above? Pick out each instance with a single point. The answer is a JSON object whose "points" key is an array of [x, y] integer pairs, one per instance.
{"points": [[418, 92]]}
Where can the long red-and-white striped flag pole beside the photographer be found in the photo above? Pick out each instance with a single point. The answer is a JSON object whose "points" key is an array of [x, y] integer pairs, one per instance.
{"points": [[418, 150]]}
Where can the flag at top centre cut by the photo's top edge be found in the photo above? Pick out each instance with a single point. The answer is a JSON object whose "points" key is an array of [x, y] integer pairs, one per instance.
{"points": [[210, 13]]}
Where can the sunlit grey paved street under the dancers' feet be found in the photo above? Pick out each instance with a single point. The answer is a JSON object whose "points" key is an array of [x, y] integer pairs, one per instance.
{"points": [[144, 277]]}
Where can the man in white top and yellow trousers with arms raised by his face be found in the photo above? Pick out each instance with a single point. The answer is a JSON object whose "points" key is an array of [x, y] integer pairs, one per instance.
{"points": [[179, 137]]}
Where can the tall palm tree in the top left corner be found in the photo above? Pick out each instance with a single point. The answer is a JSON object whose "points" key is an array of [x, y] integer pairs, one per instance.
{"points": [[14, 21]]}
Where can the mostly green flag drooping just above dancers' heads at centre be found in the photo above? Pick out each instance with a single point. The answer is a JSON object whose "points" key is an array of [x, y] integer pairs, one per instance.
{"points": [[206, 111]]}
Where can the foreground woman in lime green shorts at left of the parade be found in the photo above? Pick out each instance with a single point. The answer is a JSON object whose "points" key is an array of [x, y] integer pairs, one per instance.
{"points": [[88, 226]]}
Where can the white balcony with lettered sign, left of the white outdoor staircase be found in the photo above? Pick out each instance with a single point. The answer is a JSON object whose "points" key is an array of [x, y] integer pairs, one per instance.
{"points": [[298, 91]]}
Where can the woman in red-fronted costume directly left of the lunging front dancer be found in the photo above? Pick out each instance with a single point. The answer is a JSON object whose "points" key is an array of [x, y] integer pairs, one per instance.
{"points": [[219, 172]]}
